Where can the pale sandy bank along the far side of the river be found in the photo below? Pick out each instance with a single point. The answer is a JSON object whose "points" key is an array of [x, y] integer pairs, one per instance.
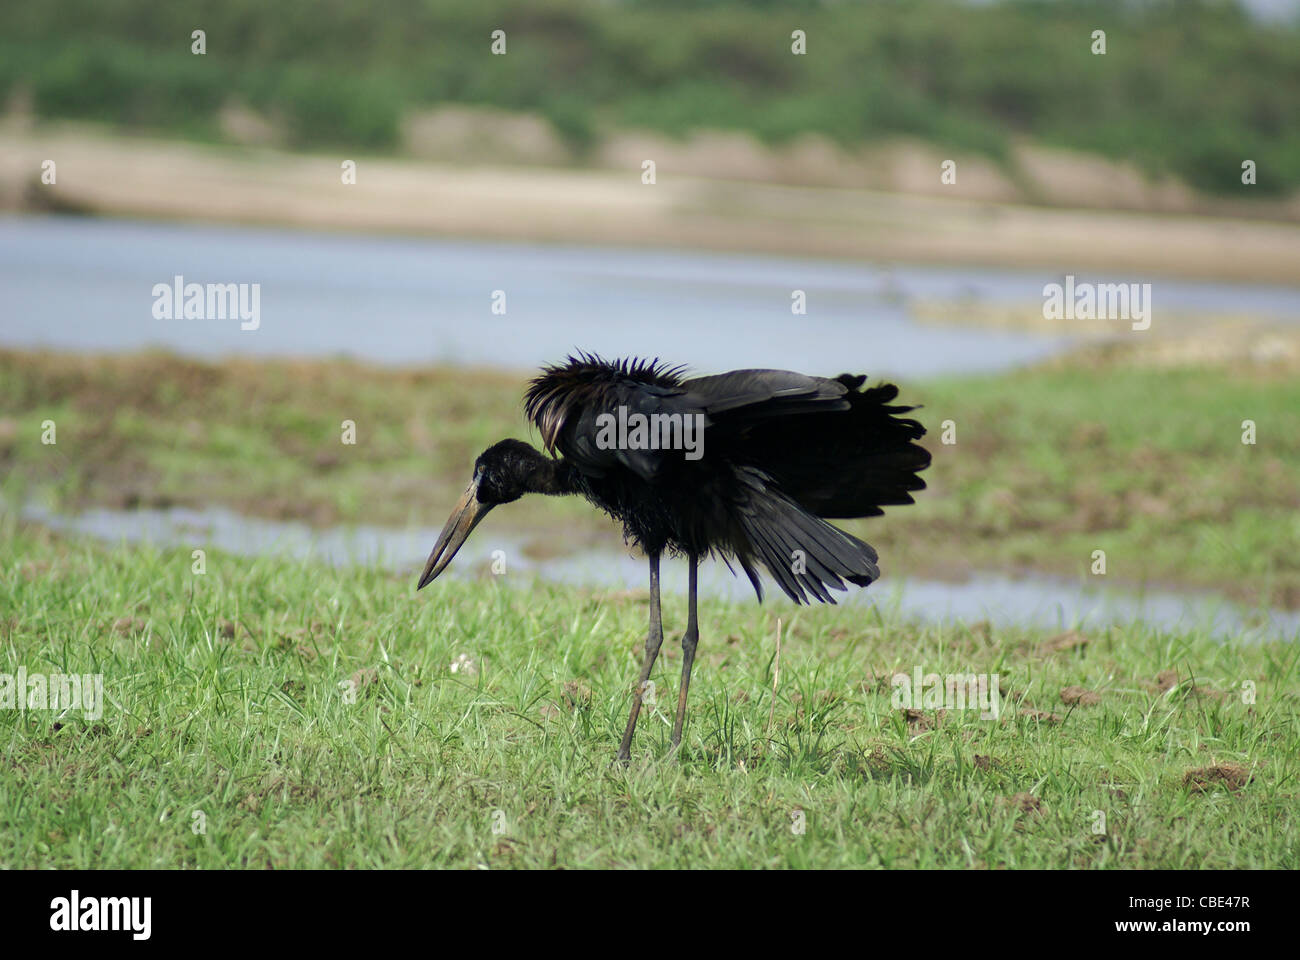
{"points": [[116, 176]]}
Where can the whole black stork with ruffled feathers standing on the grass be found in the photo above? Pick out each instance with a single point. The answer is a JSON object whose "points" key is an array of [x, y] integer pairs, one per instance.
{"points": [[747, 465]]}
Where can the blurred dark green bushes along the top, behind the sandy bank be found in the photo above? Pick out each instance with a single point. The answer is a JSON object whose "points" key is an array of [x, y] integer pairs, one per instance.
{"points": [[1189, 88]]}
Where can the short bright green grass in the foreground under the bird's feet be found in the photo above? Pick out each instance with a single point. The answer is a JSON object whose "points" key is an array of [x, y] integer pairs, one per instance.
{"points": [[226, 699]]}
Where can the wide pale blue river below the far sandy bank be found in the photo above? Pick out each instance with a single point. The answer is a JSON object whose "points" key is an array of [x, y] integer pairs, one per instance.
{"points": [[81, 284]]}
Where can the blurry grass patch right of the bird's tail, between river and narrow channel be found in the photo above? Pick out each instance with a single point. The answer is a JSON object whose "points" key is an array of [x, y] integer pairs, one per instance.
{"points": [[1145, 464]]}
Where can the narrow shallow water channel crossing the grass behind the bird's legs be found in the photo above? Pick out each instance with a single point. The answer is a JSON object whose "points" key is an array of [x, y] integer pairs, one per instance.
{"points": [[1035, 602]]}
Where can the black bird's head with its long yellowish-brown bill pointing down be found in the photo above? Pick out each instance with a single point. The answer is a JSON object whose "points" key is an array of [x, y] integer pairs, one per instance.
{"points": [[504, 473]]}
